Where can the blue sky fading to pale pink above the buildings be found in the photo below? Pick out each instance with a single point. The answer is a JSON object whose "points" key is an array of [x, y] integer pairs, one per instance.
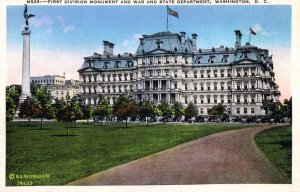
{"points": [[62, 35]]}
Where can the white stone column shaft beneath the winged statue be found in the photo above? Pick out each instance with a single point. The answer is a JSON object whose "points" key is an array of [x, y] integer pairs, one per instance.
{"points": [[25, 66]]}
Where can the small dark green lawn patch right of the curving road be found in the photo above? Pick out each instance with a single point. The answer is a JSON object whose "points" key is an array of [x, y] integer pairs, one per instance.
{"points": [[276, 144]]}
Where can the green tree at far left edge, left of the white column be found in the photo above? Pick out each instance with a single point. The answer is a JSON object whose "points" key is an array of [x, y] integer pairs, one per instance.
{"points": [[12, 101]]}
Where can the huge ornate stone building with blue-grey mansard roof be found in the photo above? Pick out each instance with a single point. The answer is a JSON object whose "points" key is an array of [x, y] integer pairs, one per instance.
{"points": [[169, 66]]}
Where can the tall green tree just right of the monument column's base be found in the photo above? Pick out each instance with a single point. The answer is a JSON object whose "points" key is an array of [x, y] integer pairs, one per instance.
{"points": [[44, 102]]}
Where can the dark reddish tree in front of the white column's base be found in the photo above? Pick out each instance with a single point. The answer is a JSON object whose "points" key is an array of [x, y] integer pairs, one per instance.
{"points": [[29, 108]]}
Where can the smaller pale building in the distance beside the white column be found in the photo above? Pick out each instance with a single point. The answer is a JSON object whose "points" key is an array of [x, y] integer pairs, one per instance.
{"points": [[57, 85]]}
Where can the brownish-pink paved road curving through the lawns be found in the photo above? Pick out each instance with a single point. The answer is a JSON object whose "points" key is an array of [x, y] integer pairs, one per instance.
{"points": [[227, 157]]}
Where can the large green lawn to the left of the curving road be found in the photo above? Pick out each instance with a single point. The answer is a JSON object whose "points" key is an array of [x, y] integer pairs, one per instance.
{"points": [[91, 148]]}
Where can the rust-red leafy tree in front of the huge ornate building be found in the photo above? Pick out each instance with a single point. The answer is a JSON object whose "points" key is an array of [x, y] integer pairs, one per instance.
{"points": [[127, 110]]}
